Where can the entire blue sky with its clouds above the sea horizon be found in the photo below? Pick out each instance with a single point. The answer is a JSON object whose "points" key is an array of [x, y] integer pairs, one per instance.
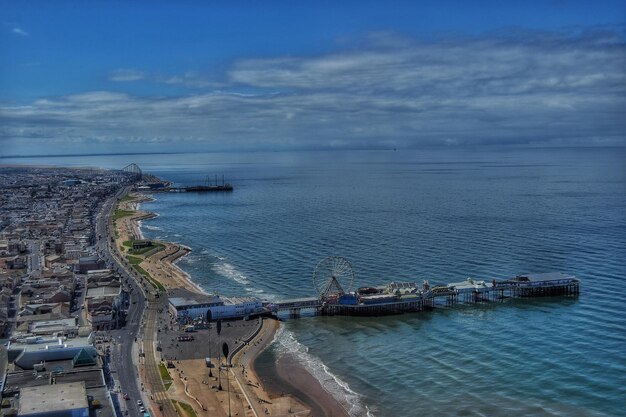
{"points": [[79, 77]]}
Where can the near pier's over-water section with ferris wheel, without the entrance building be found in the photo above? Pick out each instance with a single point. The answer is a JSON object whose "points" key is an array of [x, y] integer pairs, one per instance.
{"points": [[334, 274]]}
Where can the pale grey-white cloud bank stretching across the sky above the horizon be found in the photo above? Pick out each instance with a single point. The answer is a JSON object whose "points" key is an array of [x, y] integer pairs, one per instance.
{"points": [[386, 91]]}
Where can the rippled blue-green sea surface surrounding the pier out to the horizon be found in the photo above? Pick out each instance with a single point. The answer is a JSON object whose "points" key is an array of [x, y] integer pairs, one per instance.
{"points": [[437, 214]]}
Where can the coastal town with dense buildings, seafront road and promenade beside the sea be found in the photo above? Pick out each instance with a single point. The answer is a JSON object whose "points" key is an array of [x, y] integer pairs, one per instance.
{"points": [[95, 320]]}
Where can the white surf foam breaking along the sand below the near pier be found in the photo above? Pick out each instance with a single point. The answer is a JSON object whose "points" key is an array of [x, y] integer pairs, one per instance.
{"points": [[351, 401]]}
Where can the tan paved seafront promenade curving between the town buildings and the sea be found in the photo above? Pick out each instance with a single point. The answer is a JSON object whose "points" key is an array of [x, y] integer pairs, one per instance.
{"points": [[157, 335]]}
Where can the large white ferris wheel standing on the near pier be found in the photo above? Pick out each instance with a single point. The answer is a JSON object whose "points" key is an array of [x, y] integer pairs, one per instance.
{"points": [[333, 275]]}
